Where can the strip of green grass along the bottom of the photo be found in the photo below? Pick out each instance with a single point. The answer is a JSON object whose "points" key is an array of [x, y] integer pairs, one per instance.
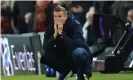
{"points": [[96, 76]]}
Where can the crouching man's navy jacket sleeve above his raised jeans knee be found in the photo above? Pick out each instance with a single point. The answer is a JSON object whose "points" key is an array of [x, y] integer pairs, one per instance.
{"points": [[76, 40]]}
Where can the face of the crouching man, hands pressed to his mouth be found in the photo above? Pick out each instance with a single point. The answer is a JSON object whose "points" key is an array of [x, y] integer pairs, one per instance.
{"points": [[60, 17]]}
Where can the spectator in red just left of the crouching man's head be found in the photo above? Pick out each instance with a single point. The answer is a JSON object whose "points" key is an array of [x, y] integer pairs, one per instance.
{"points": [[40, 16]]}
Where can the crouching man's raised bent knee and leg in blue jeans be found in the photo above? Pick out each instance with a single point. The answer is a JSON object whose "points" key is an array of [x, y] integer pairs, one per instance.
{"points": [[83, 61]]}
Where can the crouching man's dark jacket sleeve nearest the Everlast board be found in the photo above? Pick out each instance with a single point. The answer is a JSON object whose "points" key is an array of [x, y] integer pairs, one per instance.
{"points": [[48, 42]]}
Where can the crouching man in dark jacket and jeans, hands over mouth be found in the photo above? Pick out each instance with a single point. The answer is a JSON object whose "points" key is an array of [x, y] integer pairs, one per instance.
{"points": [[65, 48]]}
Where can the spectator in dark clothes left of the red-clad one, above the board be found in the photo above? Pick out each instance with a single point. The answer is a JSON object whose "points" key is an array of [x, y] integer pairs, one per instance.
{"points": [[20, 10]]}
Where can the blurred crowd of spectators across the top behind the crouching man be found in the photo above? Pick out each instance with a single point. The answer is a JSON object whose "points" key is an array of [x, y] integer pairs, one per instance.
{"points": [[29, 16]]}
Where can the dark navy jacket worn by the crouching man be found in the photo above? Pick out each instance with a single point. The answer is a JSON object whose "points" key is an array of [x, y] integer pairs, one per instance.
{"points": [[72, 37]]}
